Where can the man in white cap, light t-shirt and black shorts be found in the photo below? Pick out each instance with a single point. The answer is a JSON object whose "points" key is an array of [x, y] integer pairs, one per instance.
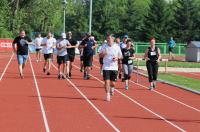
{"points": [[62, 57]]}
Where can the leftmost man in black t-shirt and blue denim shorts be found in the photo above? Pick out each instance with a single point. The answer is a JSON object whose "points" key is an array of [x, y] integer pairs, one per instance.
{"points": [[22, 42]]}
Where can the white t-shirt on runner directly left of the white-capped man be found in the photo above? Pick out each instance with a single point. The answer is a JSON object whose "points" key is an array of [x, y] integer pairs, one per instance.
{"points": [[50, 43]]}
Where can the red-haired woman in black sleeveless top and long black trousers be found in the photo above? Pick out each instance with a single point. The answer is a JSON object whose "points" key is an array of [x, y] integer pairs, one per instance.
{"points": [[152, 57]]}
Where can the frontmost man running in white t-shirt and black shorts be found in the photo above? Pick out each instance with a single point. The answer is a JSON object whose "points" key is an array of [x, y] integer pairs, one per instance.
{"points": [[111, 53]]}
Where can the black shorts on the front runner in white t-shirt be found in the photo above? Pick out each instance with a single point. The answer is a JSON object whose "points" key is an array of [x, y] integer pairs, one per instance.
{"points": [[110, 75]]}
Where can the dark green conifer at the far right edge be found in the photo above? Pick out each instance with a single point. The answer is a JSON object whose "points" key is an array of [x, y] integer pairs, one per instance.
{"points": [[186, 14]]}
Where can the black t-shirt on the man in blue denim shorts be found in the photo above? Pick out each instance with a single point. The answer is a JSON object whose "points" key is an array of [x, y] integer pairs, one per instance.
{"points": [[22, 46]]}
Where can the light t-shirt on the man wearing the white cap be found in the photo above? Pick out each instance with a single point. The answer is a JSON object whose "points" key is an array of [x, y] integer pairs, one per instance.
{"points": [[61, 43]]}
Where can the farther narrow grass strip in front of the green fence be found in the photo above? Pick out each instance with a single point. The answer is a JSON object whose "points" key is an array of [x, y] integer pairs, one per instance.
{"points": [[174, 64]]}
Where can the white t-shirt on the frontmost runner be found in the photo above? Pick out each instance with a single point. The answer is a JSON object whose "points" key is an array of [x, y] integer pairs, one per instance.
{"points": [[112, 51]]}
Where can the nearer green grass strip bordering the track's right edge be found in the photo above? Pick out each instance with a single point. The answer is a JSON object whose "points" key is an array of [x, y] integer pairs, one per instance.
{"points": [[180, 80]]}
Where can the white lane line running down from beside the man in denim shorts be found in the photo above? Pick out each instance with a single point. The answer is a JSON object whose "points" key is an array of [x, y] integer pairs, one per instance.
{"points": [[39, 98]]}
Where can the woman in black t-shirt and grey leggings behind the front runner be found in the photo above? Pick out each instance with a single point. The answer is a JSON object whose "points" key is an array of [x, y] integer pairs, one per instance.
{"points": [[127, 61]]}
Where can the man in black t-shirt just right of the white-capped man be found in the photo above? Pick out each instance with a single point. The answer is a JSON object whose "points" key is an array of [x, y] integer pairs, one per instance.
{"points": [[71, 51]]}
